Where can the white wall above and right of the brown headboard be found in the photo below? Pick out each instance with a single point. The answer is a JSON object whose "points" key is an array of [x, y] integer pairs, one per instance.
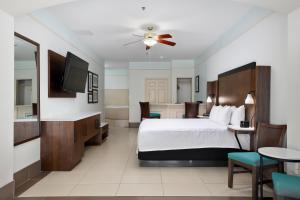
{"points": [[265, 43]]}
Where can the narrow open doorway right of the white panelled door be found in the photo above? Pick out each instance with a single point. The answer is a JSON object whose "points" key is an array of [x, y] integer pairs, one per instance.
{"points": [[184, 90]]}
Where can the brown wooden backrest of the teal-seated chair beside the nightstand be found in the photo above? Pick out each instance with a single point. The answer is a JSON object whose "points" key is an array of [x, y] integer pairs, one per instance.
{"points": [[269, 135]]}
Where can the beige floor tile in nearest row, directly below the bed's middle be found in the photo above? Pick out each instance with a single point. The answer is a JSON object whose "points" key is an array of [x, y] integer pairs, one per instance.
{"points": [[185, 189]]}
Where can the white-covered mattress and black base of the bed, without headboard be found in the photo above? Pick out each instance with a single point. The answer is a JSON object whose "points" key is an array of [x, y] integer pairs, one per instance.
{"points": [[186, 139]]}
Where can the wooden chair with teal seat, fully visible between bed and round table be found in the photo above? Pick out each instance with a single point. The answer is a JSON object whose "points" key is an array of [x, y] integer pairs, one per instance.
{"points": [[267, 135]]}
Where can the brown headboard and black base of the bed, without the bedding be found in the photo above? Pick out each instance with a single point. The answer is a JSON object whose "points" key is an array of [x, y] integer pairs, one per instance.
{"points": [[233, 86]]}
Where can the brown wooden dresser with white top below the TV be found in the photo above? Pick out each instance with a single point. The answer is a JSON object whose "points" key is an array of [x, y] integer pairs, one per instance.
{"points": [[63, 140]]}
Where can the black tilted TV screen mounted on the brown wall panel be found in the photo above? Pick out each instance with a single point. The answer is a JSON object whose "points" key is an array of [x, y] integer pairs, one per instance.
{"points": [[75, 75]]}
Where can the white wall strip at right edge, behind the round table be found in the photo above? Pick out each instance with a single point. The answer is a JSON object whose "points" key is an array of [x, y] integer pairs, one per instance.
{"points": [[293, 72]]}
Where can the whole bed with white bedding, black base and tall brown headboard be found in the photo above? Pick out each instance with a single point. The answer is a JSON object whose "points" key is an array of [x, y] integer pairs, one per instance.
{"points": [[203, 139]]}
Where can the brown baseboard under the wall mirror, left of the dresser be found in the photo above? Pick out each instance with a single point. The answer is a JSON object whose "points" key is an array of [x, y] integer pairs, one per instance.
{"points": [[27, 173]]}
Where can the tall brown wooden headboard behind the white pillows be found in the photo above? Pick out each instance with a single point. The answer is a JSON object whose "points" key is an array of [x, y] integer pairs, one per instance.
{"points": [[234, 85]]}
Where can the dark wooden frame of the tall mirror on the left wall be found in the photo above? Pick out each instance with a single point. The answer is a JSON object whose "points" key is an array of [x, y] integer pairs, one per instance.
{"points": [[38, 90]]}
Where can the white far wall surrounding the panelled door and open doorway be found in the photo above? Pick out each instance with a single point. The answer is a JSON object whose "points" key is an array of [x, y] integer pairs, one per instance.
{"points": [[140, 71]]}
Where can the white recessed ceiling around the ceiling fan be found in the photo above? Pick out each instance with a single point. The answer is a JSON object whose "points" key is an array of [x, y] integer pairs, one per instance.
{"points": [[194, 24]]}
